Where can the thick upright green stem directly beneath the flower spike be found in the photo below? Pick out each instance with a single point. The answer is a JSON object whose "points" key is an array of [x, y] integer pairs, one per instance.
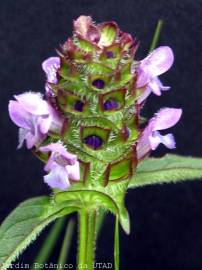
{"points": [[87, 237]]}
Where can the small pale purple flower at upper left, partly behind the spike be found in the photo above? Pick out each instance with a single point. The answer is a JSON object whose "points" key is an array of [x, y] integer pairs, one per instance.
{"points": [[50, 67]]}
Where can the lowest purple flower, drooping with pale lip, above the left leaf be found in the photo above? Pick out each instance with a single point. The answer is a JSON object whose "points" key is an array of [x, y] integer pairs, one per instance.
{"points": [[61, 166]]}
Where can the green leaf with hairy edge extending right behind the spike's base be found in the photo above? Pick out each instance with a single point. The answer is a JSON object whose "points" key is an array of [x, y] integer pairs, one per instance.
{"points": [[169, 169]]}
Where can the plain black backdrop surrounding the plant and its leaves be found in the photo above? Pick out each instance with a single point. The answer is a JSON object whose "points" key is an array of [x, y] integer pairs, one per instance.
{"points": [[166, 220]]}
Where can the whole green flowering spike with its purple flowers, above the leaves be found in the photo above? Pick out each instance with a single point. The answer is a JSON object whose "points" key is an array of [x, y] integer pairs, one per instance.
{"points": [[95, 90]]}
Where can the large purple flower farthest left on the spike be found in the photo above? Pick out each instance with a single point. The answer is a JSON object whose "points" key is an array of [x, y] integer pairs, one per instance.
{"points": [[35, 118]]}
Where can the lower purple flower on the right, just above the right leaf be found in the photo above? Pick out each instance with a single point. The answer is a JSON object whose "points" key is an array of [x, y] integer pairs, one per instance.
{"points": [[151, 137]]}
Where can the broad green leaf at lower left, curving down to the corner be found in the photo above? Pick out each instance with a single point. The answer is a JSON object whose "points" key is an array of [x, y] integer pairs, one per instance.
{"points": [[24, 224]]}
